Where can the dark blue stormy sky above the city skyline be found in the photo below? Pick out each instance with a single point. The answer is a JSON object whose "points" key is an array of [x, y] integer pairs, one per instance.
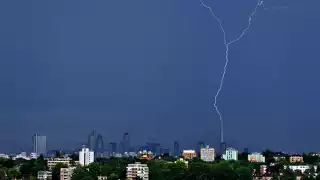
{"points": [[152, 67]]}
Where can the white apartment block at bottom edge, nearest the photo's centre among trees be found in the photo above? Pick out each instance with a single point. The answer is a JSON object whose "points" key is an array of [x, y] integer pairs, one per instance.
{"points": [[137, 170]]}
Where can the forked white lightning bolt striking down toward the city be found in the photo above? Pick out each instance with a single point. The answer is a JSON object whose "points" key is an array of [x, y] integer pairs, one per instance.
{"points": [[227, 44]]}
